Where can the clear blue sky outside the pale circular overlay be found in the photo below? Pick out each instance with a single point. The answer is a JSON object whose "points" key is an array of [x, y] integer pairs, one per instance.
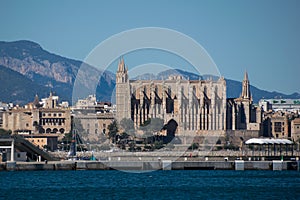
{"points": [[262, 37]]}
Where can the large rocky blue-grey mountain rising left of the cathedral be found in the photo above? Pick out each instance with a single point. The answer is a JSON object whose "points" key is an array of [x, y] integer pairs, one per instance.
{"points": [[48, 72]]}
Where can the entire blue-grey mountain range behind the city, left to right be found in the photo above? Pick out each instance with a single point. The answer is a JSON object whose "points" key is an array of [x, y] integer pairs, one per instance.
{"points": [[27, 69]]}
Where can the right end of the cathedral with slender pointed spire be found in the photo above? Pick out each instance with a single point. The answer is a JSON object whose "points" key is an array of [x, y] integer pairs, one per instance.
{"points": [[242, 114]]}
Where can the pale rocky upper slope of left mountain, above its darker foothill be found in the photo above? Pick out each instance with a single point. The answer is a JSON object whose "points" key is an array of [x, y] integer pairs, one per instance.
{"points": [[54, 72]]}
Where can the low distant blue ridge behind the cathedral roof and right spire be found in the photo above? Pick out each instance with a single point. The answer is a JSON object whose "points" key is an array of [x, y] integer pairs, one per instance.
{"points": [[234, 88]]}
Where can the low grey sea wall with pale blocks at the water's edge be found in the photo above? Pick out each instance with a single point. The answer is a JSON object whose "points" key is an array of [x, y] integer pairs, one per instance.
{"points": [[151, 165]]}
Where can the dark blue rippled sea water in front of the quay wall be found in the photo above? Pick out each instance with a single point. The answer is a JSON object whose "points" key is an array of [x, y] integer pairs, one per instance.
{"points": [[152, 185]]}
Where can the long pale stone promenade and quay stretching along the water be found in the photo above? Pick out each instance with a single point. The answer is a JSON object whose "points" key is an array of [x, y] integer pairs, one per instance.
{"points": [[163, 160]]}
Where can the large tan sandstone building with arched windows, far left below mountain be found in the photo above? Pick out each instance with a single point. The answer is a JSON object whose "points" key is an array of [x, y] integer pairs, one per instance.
{"points": [[36, 118]]}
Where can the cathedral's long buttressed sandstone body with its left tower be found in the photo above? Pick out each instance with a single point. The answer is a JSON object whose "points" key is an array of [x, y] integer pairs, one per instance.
{"points": [[192, 105]]}
